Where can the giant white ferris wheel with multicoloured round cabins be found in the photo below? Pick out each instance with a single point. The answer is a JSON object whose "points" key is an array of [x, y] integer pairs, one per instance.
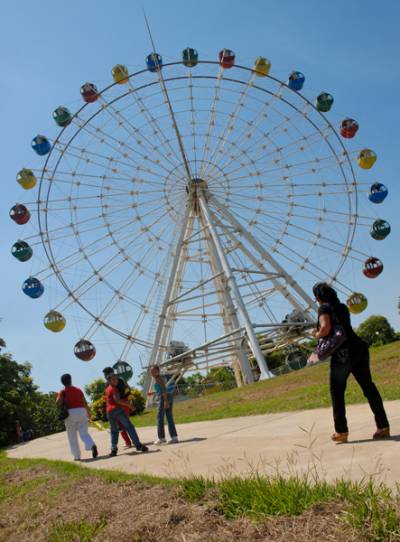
{"points": [[189, 207]]}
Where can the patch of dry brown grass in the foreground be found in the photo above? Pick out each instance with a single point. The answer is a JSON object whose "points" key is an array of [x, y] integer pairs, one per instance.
{"points": [[137, 512]]}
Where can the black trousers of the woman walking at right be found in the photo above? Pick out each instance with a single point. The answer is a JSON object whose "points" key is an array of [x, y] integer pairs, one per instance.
{"points": [[342, 364]]}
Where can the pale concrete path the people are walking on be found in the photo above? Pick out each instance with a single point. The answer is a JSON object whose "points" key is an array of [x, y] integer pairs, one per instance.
{"points": [[288, 442]]}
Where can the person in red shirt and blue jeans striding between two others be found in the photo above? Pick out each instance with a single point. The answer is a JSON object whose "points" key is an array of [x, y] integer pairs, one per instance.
{"points": [[115, 413]]}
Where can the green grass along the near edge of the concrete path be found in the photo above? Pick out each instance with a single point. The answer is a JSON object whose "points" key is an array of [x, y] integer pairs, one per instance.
{"points": [[371, 509]]}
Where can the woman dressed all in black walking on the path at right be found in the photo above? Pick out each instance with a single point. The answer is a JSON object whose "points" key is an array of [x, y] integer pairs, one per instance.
{"points": [[351, 357]]}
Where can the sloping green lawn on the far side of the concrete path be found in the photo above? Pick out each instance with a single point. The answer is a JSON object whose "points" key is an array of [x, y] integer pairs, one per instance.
{"points": [[305, 389]]}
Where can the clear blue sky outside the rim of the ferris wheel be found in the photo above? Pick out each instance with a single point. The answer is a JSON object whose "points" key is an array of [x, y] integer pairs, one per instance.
{"points": [[49, 49]]}
